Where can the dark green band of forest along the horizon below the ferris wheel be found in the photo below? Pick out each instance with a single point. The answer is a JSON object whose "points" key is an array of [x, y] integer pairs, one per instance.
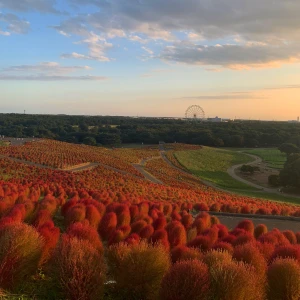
{"points": [[108, 130]]}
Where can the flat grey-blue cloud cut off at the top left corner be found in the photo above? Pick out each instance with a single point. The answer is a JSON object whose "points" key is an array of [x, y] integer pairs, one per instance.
{"points": [[42, 6]]}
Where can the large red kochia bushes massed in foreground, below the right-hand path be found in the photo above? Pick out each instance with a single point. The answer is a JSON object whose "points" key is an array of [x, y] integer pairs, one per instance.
{"points": [[80, 245]]}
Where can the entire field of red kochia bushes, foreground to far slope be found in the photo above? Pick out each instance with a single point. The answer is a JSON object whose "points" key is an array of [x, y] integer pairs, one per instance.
{"points": [[100, 234]]}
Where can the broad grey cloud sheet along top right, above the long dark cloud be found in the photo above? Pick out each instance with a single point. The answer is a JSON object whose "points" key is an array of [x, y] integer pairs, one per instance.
{"points": [[207, 18]]}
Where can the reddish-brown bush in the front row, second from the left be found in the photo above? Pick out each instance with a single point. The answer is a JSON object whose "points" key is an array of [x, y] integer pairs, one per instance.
{"points": [[79, 269]]}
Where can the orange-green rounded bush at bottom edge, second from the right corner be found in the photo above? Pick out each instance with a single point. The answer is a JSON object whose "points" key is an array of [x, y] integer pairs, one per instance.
{"points": [[235, 280]]}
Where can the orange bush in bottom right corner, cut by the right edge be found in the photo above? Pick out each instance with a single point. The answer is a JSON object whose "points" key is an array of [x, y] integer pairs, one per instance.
{"points": [[284, 279]]}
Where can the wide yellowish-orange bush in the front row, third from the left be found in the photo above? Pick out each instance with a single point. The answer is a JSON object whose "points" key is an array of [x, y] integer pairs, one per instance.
{"points": [[138, 269]]}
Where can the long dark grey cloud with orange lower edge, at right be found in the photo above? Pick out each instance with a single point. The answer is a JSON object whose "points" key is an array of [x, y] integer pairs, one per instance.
{"points": [[235, 57]]}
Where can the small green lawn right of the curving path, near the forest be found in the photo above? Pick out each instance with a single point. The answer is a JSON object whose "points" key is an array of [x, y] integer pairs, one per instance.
{"points": [[272, 156]]}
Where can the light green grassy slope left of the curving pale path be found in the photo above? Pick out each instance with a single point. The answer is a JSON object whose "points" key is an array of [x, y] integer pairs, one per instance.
{"points": [[212, 164]]}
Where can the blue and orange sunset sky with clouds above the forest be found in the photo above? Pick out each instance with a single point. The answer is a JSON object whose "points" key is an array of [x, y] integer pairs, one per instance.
{"points": [[234, 58]]}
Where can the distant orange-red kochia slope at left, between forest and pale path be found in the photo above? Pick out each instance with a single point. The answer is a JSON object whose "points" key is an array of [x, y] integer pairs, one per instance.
{"points": [[61, 155]]}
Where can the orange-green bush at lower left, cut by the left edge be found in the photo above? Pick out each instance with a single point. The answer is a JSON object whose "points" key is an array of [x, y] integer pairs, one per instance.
{"points": [[20, 253]]}
